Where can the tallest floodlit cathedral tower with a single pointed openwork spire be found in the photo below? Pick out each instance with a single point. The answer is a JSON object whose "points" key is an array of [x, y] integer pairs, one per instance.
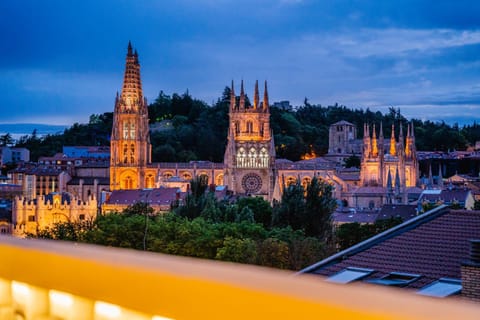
{"points": [[130, 149]]}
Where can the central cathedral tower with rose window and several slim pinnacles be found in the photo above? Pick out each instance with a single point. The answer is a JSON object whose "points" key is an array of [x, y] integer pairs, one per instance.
{"points": [[250, 154]]}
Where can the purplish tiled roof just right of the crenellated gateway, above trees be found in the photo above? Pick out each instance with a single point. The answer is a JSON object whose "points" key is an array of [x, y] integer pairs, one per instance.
{"points": [[159, 196]]}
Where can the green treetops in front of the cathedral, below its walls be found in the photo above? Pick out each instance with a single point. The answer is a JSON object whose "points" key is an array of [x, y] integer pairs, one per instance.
{"points": [[204, 227]]}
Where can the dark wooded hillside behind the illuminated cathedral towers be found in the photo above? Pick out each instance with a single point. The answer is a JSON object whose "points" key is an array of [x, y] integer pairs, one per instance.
{"points": [[196, 131]]}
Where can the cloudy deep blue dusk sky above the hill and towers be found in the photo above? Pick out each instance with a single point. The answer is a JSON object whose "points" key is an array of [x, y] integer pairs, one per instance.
{"points": [[61, 61]]}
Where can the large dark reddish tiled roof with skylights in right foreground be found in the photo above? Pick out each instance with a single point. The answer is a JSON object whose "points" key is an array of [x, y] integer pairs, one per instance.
{"points": [[432, 245]]}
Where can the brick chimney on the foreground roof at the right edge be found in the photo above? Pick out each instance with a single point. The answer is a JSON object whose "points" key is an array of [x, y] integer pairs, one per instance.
{"points": [[471, 273]]}
